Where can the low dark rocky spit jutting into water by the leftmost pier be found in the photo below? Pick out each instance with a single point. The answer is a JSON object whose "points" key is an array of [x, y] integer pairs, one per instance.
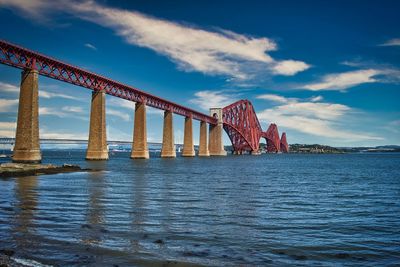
{"points": [[21, 169]]}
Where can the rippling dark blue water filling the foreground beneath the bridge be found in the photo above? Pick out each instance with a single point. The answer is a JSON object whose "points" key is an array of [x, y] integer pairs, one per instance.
{"points": [[283, 209]]}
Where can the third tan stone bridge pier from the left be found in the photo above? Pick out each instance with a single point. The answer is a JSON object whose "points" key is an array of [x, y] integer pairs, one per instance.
{"points": [[139, 146]]}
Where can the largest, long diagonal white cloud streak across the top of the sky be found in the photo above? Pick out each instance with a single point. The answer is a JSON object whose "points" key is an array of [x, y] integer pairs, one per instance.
{"points": [[218, 52]]}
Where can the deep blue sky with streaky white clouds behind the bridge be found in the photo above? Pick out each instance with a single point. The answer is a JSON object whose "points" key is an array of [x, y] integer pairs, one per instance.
{"points": [[325, 71]]}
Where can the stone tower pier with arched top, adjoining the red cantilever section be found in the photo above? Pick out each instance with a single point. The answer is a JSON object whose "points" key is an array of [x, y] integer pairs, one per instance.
{"points": [[216, 145]]}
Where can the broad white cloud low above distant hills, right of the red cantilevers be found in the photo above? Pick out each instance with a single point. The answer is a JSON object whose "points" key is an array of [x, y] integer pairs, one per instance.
{"points": [[313, 118]]}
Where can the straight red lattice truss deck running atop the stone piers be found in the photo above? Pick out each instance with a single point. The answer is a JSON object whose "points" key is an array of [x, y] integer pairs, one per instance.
{"points": [[23, 58]]}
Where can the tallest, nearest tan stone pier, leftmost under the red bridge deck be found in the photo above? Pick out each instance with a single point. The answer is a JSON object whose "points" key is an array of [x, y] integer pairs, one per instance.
{"points": [[27, 145]]}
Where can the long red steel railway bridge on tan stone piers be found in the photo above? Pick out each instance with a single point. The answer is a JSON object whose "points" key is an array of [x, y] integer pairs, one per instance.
{"points": [[239, 119]]}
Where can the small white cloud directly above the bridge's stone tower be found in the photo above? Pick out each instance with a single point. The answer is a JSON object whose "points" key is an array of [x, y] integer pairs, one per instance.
{"points": [[213, 99]]}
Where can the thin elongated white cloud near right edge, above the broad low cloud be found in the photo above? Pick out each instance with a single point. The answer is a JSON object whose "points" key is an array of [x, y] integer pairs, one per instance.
{"points": [[341, 81]]}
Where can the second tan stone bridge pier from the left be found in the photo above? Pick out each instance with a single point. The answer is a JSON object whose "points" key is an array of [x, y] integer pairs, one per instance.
{"points": [[97, 145]]}
